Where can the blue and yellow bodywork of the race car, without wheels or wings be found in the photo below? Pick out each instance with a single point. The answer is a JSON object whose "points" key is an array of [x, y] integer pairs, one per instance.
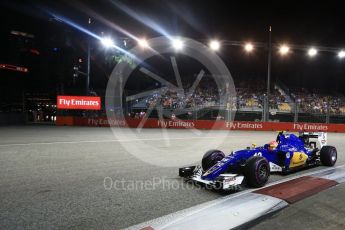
{"points": [[288, 145]]}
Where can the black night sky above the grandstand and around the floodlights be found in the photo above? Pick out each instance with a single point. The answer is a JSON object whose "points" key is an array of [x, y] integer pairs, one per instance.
{"points": [[300, 23]]}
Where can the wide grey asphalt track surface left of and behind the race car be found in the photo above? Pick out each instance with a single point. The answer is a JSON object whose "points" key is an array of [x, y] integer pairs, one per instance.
{"points": [[55, 177]]}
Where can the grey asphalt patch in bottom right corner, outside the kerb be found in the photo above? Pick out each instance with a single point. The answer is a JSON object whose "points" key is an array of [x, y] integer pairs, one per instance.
{"points": [[325, 210]]}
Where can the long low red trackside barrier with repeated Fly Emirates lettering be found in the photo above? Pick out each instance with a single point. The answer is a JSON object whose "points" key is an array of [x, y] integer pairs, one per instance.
{"points": [[202, 124]]}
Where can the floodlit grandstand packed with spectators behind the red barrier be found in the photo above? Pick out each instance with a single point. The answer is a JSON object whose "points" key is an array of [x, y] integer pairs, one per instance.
{"points": [[286, 104]]}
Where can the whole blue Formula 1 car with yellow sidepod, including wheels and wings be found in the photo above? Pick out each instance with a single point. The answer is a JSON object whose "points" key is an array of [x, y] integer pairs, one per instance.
{"points": [[254, 164]]}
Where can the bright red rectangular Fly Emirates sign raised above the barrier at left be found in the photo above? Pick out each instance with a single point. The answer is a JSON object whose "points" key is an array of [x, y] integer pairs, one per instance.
{"points": [[78, 102]]}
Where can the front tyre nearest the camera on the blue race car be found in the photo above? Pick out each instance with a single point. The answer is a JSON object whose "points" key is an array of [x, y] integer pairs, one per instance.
{"points": [[257, 171]]}
